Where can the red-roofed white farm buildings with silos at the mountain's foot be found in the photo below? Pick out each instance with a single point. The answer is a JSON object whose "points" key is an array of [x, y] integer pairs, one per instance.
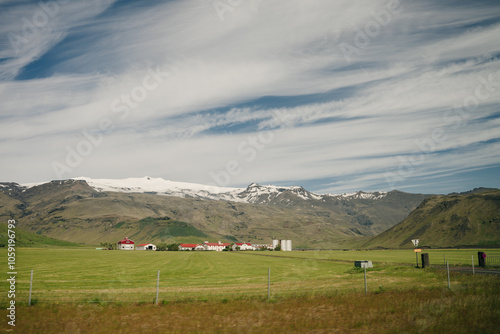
{"points": [[285, 245]]}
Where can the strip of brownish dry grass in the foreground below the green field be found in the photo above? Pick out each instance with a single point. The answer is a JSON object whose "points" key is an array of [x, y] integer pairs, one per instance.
{"points": [[472, 307]]}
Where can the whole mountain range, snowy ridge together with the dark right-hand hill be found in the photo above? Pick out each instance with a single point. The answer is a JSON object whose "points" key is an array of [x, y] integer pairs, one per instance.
{"points": [[91, 211]]}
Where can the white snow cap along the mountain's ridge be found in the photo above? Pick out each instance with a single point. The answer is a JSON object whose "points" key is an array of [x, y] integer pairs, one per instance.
{"points": [[254, 193]]}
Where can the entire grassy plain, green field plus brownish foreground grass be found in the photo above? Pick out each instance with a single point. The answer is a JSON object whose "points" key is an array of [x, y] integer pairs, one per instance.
{"points": [[90, 291]]}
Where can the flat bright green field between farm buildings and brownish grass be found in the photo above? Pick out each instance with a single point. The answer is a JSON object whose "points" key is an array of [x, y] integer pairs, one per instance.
{"points": [[94, 276]]}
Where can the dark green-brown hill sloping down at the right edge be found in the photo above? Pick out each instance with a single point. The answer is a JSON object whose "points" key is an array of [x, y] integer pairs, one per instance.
{"points": [[448, 221]]}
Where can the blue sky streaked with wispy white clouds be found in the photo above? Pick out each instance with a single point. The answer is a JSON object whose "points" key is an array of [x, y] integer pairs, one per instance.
{"points": [[334, 96]]}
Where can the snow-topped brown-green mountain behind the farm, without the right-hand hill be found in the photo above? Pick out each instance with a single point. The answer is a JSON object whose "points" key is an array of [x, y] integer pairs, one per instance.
{"points": [[149, 209]]}
